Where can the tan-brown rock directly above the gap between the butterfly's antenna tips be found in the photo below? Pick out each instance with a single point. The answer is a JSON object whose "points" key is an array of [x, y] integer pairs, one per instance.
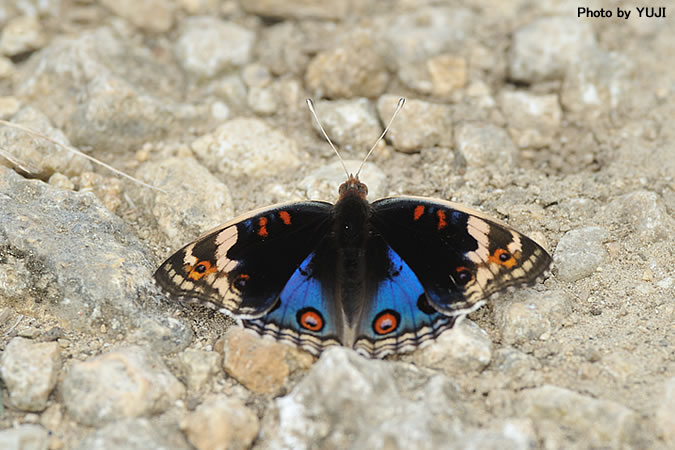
{"points": [[354, 69]]}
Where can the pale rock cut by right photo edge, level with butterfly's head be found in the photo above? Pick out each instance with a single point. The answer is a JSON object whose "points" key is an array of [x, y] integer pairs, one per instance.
{"points": [[643, 212]]}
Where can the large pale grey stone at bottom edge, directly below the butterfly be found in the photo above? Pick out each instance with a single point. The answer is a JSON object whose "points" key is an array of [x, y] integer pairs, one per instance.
{"points": [[347, 401]]}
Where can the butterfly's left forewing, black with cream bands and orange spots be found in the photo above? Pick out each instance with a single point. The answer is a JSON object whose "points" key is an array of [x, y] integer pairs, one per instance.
{"points": [[242, 267]]}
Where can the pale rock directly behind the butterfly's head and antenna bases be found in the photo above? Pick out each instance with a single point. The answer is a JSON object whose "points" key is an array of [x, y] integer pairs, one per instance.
{"points": [[323, 183]]}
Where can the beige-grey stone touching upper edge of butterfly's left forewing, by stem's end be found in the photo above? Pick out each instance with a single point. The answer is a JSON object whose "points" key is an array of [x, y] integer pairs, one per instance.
{"points": [[181, 179]]}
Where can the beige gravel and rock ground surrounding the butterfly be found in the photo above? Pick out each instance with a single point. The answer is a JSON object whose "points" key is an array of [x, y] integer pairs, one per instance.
{"points": [[557, 124]]}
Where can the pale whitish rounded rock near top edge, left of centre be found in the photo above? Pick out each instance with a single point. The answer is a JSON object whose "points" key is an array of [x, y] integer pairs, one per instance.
{"points": [[200, 50]]}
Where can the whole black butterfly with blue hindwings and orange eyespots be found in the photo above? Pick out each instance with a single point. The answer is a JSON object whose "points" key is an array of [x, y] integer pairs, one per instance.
{"points": [[381, 277]]}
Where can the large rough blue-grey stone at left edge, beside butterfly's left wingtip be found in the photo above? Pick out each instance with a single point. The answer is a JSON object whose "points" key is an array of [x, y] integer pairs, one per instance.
{"points": [[54, 246]]}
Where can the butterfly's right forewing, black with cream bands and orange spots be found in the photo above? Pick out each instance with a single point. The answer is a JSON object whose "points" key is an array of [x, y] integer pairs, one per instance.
{"points": [[459, 256]]}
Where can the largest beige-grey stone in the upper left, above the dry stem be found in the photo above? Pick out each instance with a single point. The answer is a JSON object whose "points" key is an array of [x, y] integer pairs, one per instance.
{"points": [[102, 91]]}
